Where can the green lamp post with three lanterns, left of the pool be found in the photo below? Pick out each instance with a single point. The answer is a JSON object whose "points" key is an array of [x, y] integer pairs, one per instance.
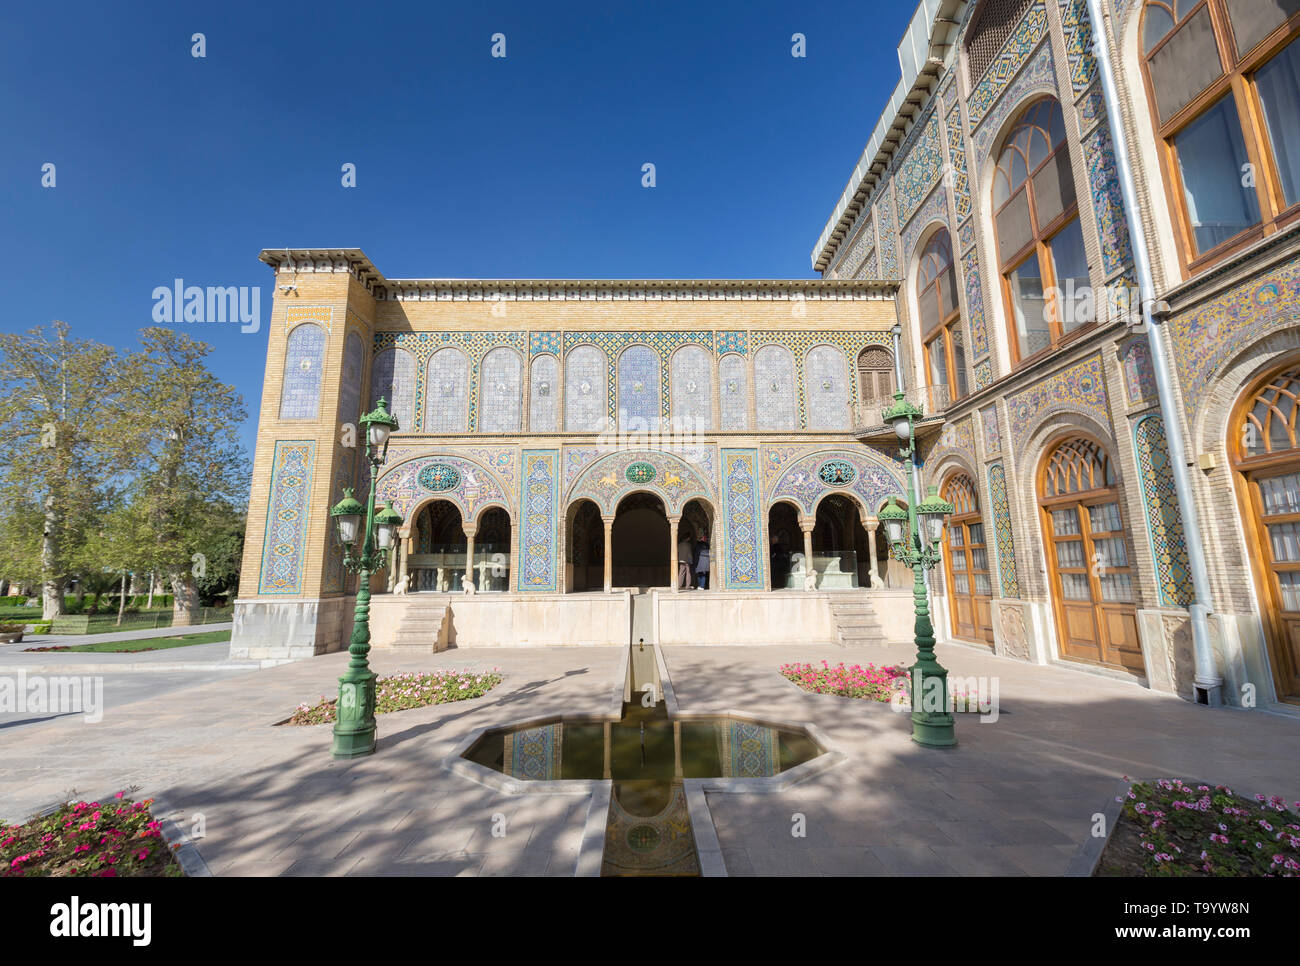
{"points": [[354, 724]]}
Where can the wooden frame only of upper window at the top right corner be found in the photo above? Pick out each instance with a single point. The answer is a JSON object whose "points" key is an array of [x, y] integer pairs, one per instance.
{"points": [[1237, 83]]}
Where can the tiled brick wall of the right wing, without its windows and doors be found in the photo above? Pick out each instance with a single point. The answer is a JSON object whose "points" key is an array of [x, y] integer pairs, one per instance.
{"points": [[1223, 330]]}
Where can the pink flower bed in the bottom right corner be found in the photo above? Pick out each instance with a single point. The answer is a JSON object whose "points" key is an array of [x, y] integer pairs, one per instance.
{"points": [[1169, 829]]}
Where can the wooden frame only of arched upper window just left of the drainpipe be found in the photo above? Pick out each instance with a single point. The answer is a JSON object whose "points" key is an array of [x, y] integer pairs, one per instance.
{"points": [[1039, 248]]}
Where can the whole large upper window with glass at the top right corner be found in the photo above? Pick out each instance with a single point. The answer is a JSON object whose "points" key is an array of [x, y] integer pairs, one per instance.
{"points": [[1224, 79]]}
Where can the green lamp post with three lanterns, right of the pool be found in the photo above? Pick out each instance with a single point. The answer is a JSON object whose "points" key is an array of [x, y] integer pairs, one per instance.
{"points": [[915, 535]]}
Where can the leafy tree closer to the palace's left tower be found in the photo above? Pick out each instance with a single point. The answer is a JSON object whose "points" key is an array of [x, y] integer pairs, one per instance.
{"points": [[192, 469]]}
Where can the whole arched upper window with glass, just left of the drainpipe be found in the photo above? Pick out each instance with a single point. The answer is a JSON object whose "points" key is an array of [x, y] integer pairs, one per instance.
{"points": [[1039, 241]]}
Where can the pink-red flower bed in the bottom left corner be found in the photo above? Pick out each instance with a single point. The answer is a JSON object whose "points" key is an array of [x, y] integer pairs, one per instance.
{"points": [[89, 839]]}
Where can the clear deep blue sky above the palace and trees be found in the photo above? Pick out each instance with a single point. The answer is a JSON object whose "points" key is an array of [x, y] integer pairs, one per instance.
{"points": [[467, 166]]}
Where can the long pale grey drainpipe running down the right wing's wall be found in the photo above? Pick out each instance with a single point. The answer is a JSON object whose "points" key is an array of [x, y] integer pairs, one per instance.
{"points": [[1208, 685]]}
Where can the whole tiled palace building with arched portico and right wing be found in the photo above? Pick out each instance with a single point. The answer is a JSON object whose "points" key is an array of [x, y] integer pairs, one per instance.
{"points": [[1089, 236]]}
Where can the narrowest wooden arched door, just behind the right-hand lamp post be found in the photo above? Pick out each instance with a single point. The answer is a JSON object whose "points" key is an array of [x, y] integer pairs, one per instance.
{"points": [[967, 564]]}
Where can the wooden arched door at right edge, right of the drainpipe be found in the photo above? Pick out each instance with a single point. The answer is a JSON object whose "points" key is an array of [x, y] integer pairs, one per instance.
{"points": [[1267, 457]]}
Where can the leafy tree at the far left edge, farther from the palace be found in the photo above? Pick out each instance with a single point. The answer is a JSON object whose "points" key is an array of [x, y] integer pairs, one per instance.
{"points": [[62, 439]]}
